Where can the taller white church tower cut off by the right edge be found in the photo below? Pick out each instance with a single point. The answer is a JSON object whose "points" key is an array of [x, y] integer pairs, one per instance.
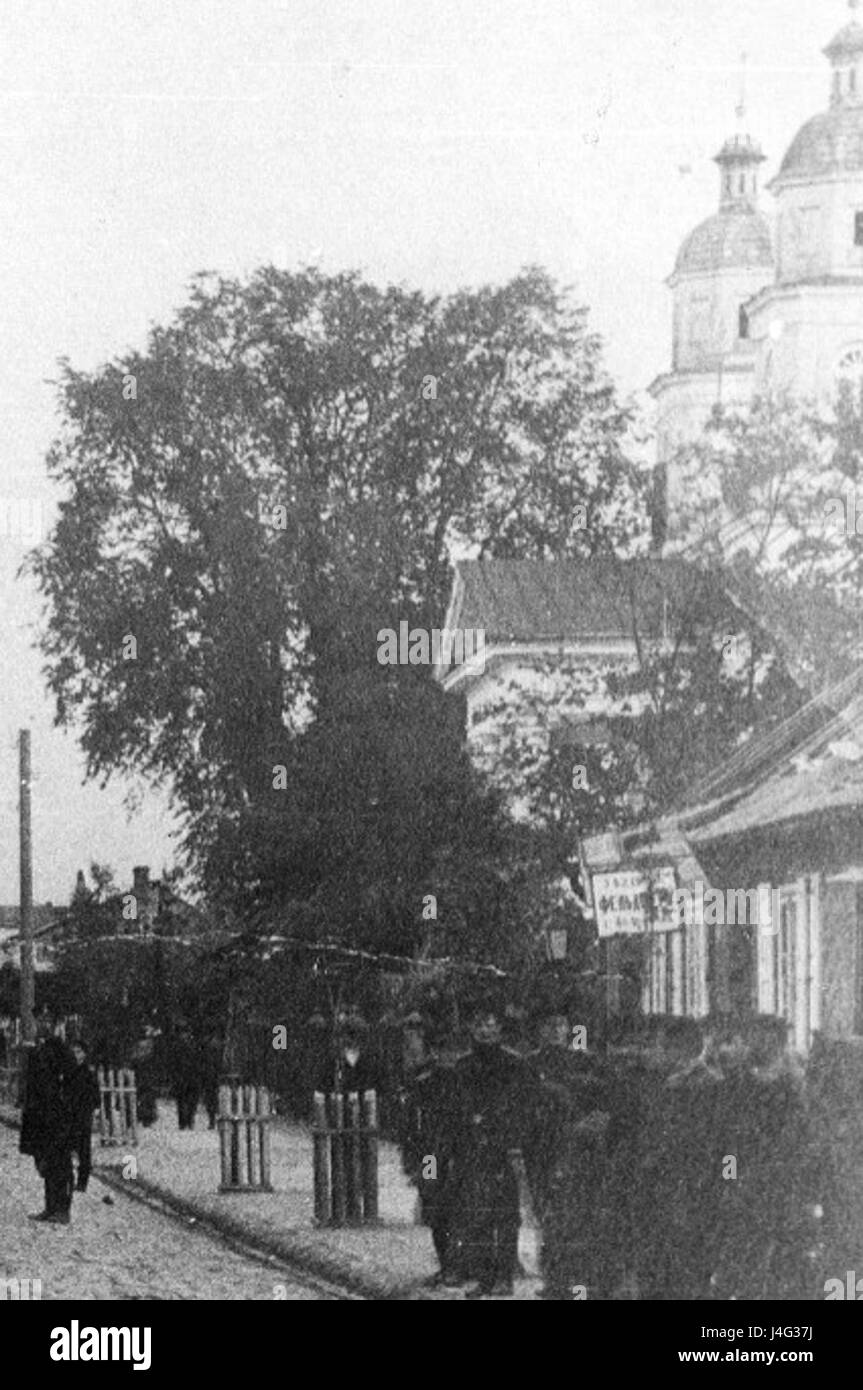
{"points": [[809, 323]]}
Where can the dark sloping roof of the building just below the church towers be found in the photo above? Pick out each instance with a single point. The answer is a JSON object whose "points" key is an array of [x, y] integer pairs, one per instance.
{"points": [[547, 601]]}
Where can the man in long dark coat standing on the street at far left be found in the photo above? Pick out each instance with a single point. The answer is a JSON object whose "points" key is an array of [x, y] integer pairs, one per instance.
{"points": [[48, 1127]]}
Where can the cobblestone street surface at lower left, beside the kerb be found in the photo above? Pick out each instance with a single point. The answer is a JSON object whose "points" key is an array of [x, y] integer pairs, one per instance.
{"points": [[122, 1252]]}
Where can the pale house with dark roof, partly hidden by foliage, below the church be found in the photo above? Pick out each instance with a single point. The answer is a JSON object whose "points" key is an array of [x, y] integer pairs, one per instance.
{"points": [[554, 635]]}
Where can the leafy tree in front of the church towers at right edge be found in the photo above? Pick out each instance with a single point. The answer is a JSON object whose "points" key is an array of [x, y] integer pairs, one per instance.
{"points": [[772, 493]]}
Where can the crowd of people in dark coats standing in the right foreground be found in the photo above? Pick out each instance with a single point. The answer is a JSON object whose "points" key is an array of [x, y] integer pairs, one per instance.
{"points": [[683, 1170]]}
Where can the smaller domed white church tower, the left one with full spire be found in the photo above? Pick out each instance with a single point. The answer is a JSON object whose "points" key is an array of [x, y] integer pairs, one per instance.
{"points": [[721, 268]]}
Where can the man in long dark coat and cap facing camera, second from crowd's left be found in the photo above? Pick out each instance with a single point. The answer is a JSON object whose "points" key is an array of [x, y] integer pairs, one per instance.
{"points": [[491, 1103]]}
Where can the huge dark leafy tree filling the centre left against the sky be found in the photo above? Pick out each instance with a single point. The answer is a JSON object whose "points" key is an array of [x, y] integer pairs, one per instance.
{"points": [[286, 471]]}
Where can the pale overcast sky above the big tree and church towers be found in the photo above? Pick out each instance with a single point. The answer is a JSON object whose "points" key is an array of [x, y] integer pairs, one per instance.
{"points": [[430, 142]]}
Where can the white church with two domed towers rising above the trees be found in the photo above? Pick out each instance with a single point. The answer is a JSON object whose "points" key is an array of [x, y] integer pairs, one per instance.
{"points": [[773, 305]]}
